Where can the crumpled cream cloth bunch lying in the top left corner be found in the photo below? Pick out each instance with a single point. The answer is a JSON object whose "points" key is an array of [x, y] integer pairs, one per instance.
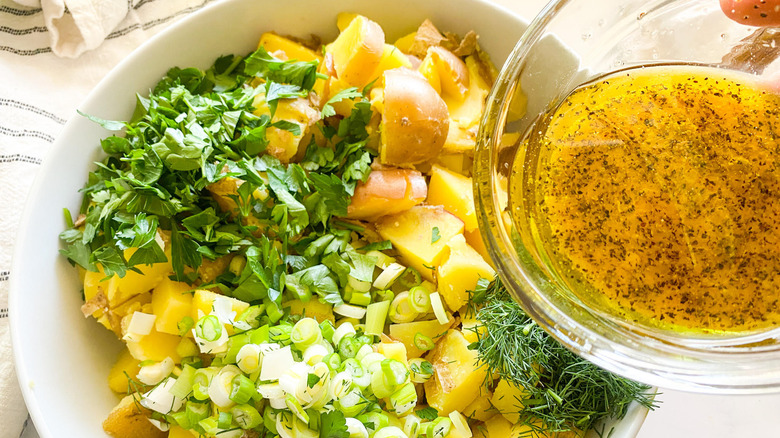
{"points": [[85, 25]]}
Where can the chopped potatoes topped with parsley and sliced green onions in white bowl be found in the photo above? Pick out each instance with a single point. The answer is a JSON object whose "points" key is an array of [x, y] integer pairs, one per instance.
{"points": [[287, 245]]}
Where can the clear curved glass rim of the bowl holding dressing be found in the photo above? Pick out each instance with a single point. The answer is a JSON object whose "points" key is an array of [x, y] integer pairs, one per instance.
{"points": [[704, 365]]}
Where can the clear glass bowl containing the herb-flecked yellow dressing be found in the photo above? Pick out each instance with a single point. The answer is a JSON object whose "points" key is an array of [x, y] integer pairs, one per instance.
{"points": [[571, 43]]}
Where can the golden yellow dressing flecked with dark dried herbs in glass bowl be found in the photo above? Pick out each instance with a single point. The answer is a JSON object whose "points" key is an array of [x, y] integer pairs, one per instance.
{"points": [[656, 195]]}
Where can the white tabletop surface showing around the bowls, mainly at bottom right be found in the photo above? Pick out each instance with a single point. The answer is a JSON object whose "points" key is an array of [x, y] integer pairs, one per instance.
{"points": [[682, 415]]}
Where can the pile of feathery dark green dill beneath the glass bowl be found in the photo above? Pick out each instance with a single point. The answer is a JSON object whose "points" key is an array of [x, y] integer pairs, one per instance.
{"points": [[563, 390]]}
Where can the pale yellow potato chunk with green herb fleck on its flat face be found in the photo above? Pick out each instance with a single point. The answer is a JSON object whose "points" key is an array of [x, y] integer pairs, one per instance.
{"points": [[412, 235]]}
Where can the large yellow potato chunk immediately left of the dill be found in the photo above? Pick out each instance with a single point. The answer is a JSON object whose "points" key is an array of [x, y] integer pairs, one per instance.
{"points": [[457, 379]]}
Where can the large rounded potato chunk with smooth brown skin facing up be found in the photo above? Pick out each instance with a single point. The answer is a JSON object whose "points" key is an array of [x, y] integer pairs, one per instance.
{"points": [[415, 121]]}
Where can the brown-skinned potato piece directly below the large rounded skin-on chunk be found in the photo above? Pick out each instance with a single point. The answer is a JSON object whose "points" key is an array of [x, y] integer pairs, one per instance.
{"points": [[387, 191]]}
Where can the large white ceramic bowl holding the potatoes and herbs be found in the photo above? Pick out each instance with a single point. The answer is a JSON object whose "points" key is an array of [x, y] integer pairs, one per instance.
{"points": [[62, 359]]}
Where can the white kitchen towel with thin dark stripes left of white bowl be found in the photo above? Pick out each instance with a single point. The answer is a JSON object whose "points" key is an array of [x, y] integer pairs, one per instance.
{"points": [[52, 53]]}
